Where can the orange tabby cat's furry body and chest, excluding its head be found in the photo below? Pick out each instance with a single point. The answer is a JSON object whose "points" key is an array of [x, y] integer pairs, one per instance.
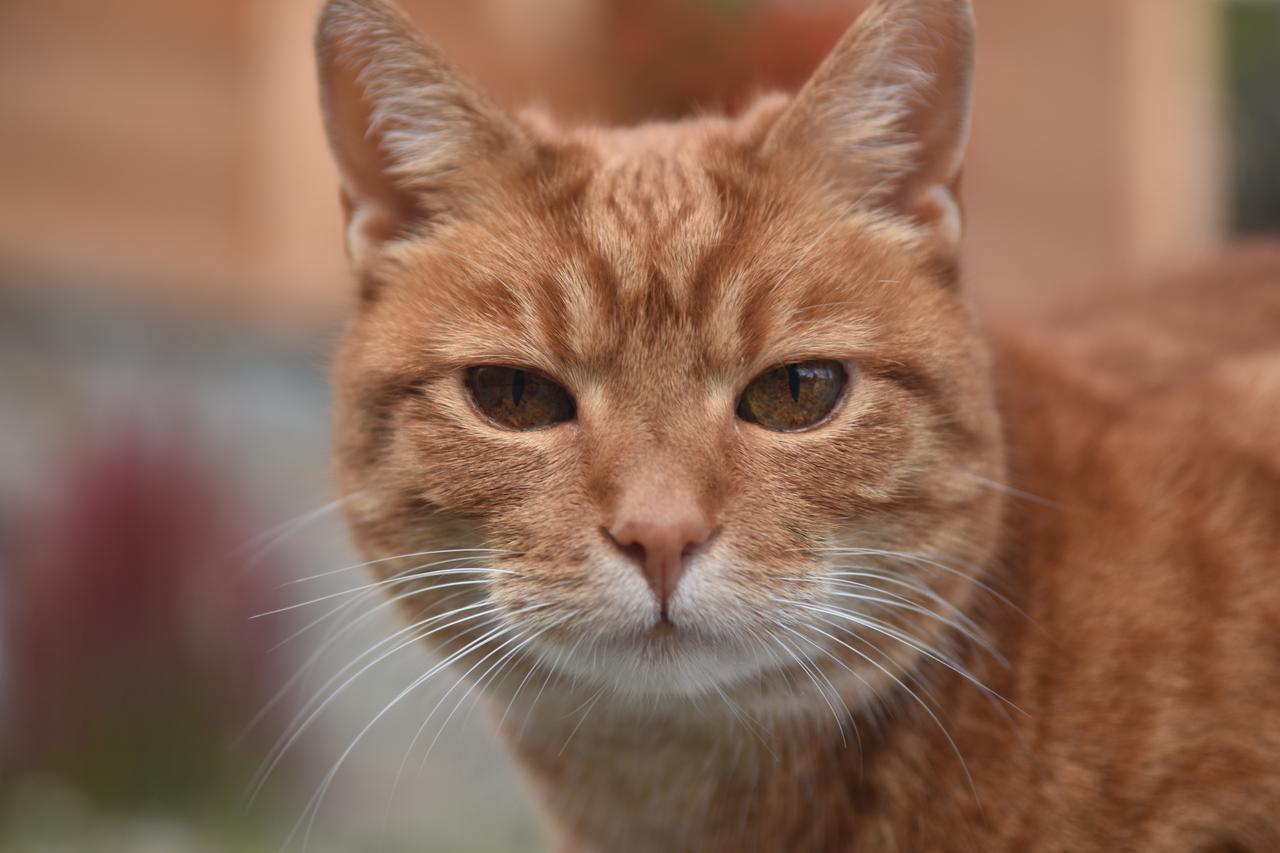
{"points": [[1141, 628]]}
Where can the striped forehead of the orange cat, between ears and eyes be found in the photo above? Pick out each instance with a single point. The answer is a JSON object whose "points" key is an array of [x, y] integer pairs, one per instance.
{"points": [[657, 247]]}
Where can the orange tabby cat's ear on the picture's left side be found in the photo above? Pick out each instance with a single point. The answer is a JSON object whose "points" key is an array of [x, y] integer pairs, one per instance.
{"points": [[408, 131]]}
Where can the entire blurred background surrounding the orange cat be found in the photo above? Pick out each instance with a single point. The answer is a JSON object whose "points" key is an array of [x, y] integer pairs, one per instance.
{"points": [[172, 282]]}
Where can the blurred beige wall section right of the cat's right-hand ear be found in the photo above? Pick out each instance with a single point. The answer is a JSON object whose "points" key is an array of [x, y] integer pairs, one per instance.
{"points": [[1096, 143]]}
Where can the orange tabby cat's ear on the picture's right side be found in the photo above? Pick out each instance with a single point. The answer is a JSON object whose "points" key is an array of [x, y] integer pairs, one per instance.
{"points": [[888, 115]]}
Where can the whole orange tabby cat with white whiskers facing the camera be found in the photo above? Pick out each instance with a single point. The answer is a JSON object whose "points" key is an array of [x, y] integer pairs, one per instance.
{"points": [[685, 446]]}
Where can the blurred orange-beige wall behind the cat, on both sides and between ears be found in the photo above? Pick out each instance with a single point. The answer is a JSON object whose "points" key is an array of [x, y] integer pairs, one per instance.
{"points": [[173, 152]]}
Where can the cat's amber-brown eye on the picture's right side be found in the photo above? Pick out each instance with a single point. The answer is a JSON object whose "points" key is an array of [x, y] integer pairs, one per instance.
{"points": [[794, 398]]}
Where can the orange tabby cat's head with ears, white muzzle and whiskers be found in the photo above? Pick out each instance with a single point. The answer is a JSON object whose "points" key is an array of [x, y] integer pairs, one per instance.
{"points": [[671, 409]]}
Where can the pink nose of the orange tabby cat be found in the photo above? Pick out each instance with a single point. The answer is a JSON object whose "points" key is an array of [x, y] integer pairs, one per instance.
{"points": [[661, 539]]}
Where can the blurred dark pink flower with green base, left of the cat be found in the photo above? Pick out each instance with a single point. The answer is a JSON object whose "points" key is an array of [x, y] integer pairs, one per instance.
{"points": [[135, 664]]}
